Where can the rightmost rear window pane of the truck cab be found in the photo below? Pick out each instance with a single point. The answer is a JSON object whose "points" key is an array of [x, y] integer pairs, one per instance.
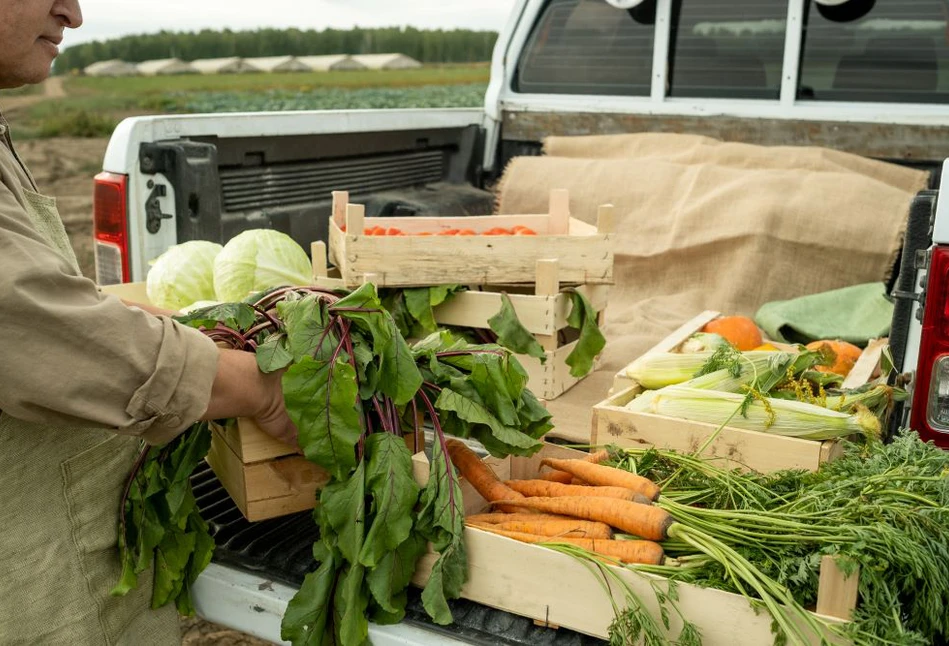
{"points": [[896, 51]]}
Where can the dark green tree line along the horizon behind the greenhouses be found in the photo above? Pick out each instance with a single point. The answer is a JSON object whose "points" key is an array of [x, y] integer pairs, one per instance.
{"points": [[428, 46]]}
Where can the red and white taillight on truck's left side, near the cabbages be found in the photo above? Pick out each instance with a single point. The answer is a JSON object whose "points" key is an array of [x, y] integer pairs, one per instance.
{"points": [[110, 226]]}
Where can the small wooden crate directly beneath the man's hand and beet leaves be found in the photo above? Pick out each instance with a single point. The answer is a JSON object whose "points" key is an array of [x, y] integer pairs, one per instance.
{"points": [[266, 488]]}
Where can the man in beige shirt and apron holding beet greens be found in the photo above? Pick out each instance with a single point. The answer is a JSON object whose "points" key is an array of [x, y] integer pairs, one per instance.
{"points": [[85, 378]]}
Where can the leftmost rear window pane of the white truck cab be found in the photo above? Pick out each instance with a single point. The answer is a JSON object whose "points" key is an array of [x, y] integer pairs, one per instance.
{"points": [[588, 47]]}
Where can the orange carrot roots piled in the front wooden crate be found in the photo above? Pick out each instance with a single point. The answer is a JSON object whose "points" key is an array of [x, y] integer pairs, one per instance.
{"points": [[580, 502]]}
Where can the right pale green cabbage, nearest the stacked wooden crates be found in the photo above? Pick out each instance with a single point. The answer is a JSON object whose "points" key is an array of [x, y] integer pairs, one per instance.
{"points": [[256, 260]]}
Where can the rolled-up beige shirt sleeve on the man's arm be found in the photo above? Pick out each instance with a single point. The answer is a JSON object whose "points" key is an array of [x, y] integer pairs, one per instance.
{"points": [[73, 356]]}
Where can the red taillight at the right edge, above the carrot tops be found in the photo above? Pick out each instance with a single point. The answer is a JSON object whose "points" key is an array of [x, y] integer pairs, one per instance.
{"points": [[930, 412]]}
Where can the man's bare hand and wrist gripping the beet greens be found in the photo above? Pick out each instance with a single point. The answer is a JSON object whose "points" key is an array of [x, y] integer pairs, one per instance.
{"points": [[241, 390]]}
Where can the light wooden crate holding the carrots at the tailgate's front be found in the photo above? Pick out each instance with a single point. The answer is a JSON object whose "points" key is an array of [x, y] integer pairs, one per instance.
{"points": [[556, 590]]}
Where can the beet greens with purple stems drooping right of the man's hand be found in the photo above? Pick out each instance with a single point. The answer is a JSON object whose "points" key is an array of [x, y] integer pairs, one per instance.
{"points": [[360, 397]]}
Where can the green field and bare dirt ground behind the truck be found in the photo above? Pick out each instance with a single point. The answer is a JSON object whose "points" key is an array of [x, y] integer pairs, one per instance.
{"points": [[63, 127]]}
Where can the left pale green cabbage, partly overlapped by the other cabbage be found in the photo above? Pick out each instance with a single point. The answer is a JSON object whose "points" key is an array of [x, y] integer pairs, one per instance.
{"points": [[183, 275]]}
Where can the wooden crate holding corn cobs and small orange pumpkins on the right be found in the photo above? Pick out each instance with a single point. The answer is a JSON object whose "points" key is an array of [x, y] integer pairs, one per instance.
{"points": [[613, 423]]}
